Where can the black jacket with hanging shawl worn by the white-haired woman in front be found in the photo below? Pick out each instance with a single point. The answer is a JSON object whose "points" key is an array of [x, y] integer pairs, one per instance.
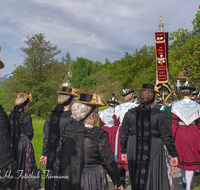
{"points": [[84, 147]]}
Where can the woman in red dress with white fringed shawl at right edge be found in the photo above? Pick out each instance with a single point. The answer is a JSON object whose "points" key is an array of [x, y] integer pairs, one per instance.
{"points": [[186, 133]]}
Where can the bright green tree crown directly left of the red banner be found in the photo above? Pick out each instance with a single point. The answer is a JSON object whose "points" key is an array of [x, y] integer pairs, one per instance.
{"points": [[138, 68]]}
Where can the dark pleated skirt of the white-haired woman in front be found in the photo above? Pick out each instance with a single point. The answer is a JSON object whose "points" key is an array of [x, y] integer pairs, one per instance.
{"points": [[94, 178]]}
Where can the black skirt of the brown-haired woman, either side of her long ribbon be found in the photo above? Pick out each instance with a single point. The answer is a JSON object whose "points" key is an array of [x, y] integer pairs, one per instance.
{"points": [[157, 177]]}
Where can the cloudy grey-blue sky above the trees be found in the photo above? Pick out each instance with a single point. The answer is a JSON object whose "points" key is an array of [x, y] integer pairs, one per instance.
{"points": [[93, 29]]}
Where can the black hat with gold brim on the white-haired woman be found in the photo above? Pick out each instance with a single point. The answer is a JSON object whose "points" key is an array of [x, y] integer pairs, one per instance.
{"points": [[89, 99]]}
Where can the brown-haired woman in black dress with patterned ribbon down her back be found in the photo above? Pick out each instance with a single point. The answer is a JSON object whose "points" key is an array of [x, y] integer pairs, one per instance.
{"points": [[148, 128]]}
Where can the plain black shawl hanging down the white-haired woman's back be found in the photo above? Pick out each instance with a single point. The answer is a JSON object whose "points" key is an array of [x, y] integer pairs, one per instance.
{"points": [[73, 150]]}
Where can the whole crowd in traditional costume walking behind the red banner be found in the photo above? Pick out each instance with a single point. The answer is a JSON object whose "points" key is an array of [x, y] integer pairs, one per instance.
{"points": [[139, 135]]}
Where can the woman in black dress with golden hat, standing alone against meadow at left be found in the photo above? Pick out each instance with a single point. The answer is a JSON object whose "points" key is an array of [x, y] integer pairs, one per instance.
{"points": [[22, 134]]}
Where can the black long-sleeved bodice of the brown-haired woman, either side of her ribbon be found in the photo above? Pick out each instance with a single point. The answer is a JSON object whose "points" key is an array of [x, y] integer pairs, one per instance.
{"points": [[160, 128]]}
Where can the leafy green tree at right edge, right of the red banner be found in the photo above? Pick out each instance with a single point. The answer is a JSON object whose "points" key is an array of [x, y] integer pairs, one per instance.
{"points": [[184, 51]]}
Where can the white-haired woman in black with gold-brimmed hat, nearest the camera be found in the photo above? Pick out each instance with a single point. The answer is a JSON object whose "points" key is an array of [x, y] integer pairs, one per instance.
{"points": [[86, 153]]}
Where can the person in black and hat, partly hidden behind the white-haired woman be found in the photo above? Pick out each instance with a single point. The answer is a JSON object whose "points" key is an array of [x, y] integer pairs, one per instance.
{"points": [[53, 130]]}
